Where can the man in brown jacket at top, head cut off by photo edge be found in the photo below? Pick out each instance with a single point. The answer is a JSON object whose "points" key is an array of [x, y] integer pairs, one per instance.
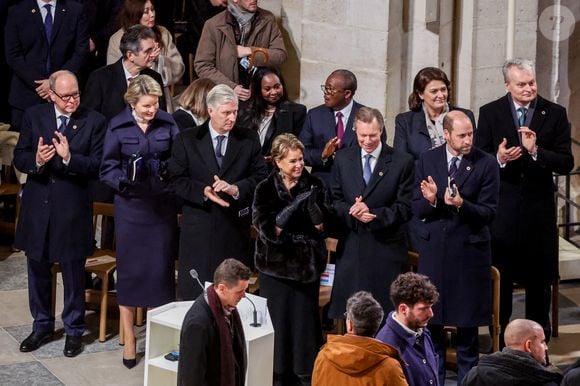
{"points": [[237, 40]]}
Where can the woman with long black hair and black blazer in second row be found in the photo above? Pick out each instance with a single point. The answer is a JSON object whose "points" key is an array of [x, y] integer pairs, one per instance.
{"points": [[268, 111]]}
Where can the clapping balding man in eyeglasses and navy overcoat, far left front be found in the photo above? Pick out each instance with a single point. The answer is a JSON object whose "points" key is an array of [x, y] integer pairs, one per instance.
{"points": [[60, 149]]}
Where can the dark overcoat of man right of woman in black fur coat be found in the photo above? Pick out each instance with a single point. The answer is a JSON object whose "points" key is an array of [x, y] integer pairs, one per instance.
{"points": [[373, 254]]}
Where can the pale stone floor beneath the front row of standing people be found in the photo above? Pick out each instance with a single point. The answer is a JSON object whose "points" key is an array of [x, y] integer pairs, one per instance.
{"points": [[100, 363]]}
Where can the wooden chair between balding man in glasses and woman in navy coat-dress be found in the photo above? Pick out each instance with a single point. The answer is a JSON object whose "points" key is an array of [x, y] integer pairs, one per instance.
{"points": [[99, 263]]}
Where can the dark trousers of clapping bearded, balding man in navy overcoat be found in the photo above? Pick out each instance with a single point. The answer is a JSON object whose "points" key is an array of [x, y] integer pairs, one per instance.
{"points": [[467, 346]]}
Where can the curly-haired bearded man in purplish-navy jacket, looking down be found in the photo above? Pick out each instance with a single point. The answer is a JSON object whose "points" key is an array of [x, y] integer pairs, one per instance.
{"points": [[413, 295]]}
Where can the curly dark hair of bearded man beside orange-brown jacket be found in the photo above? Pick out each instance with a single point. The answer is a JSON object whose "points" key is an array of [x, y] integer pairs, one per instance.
{"points": [[410, 288]]}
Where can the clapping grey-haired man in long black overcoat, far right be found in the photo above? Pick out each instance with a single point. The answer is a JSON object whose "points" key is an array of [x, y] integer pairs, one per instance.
{"points": [[530, 137]]}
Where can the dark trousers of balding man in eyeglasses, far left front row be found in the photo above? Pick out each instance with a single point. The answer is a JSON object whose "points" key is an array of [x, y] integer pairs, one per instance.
{"points": [[40, 296]]}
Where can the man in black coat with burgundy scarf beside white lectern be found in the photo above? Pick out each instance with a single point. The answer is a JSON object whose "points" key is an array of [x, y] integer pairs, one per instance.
{"points": [[212, 345]]}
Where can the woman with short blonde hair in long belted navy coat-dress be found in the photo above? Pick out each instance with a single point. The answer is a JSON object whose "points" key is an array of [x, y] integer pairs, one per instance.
{"points": [[137, 146]]}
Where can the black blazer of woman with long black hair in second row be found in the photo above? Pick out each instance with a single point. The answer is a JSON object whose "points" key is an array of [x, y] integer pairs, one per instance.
{"points": [[288, 118]]}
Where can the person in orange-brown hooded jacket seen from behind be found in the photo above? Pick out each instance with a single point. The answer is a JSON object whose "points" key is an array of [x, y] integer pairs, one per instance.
{"points": [[357, 358]]}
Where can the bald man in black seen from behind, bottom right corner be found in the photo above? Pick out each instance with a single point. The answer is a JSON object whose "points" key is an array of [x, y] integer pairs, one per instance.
{"points": [[521, 362]]}
